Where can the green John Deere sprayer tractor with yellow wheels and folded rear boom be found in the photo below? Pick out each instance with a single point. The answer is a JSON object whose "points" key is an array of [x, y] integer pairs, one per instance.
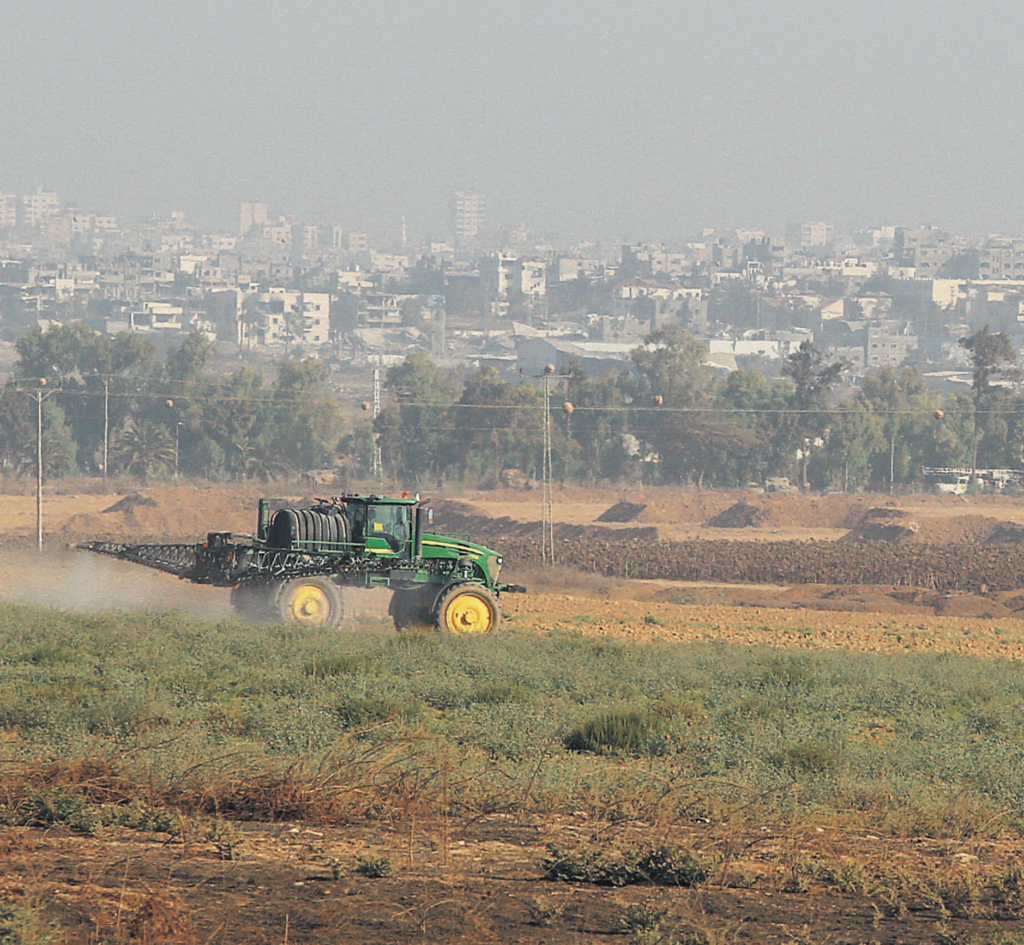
{"points": [[293, 570]]}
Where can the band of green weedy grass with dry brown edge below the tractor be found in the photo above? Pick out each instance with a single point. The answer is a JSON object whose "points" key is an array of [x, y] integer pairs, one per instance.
{"points": [[100, 714]]}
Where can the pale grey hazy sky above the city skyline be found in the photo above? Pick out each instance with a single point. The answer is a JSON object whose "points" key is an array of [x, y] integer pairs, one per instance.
{"points": [[641, 120]]}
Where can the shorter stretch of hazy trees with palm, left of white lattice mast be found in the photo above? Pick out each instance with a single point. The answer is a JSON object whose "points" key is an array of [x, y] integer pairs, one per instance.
{"points": [[161, 418]]}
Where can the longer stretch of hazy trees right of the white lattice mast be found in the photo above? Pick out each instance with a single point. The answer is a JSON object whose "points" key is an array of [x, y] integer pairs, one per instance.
{"points": [[671, 419]]}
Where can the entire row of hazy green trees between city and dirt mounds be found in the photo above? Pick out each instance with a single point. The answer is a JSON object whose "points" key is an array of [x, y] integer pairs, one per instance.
{"points": [[670, 419]]}
